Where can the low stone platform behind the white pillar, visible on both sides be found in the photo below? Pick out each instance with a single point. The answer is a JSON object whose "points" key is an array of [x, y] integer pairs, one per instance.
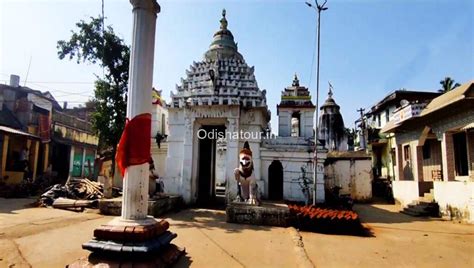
{"points": [[156, 207]]}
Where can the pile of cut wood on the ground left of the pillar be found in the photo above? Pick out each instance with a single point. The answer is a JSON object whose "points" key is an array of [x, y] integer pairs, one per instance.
{"points": [[75, 188]]}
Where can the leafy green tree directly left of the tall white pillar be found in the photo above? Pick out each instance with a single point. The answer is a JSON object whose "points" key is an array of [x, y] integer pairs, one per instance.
{"points": [[96, 44]]}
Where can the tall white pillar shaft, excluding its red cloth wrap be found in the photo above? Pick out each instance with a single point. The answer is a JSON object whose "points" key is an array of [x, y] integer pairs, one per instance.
{"points": [[135, 182]]}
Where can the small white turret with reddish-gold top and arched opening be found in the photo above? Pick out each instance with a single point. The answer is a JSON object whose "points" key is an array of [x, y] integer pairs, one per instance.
{"points": [[295, 112]]}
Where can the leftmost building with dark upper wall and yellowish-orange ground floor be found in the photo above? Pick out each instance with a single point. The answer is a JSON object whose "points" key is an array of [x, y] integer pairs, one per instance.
{"points": [[26, 115]]}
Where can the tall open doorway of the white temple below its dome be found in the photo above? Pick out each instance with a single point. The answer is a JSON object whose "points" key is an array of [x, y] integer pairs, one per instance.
{"points": [[211, 166]]}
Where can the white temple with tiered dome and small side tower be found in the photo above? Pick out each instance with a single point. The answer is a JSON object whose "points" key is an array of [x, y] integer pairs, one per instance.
{"points": [[220, 96]]}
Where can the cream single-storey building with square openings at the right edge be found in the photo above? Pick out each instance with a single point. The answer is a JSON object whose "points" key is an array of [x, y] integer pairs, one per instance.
{"points": [[434, 152]]}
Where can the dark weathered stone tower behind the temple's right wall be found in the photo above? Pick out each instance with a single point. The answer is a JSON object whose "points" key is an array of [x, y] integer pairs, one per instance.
{"points": [[331, 125]]}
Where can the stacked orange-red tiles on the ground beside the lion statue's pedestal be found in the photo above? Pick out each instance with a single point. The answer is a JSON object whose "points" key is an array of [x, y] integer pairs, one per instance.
{"points": [[326, 220]]}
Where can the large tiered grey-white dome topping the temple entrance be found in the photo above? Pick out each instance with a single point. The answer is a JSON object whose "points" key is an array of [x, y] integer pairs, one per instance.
{"points": [[221, 78]]}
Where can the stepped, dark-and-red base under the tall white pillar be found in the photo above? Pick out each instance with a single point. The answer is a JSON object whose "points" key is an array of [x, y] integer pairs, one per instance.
{"points": [[146, 242]]}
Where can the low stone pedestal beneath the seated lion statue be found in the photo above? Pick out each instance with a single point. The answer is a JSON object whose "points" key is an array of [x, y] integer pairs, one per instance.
{"points": [[268, 213]]}
